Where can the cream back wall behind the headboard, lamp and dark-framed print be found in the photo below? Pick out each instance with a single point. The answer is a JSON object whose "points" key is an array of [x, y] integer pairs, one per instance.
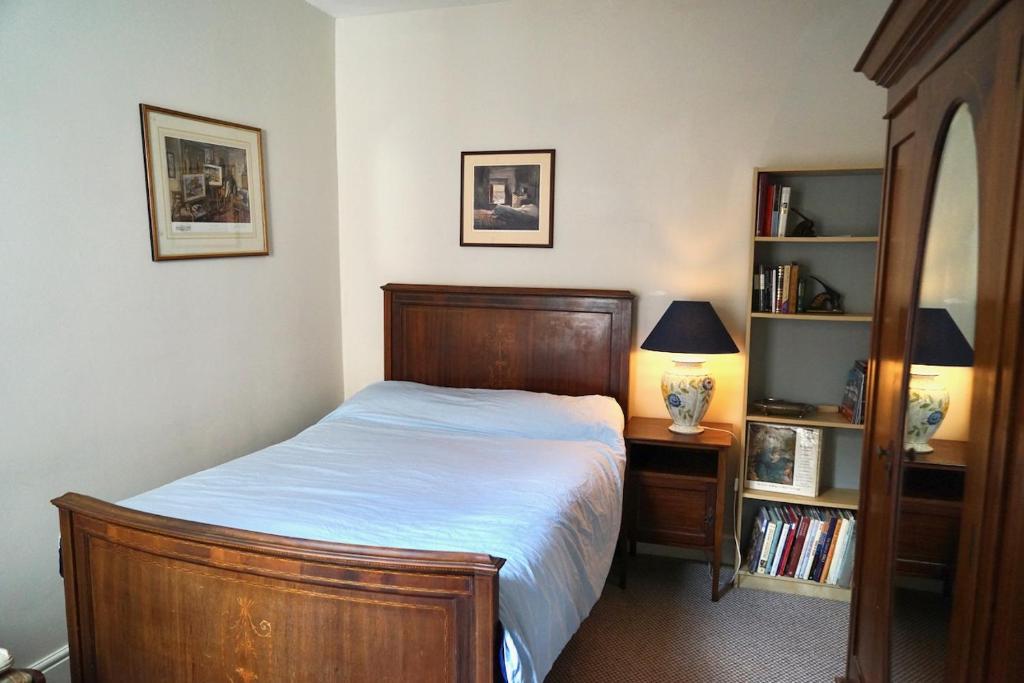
{"points": [[659, 111]]}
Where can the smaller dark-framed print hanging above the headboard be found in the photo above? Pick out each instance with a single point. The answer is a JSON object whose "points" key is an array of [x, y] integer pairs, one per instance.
{"points": [[508, 199]]}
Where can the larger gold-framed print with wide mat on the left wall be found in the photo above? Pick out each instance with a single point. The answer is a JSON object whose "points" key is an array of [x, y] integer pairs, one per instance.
{"points": [[209, 199]]}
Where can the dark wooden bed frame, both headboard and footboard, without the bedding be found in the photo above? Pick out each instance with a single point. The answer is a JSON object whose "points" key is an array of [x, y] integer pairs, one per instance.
{"points": [[153, 600]]}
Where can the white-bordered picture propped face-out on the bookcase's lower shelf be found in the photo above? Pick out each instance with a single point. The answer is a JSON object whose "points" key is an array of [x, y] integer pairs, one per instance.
{"points": [[784, 459]]}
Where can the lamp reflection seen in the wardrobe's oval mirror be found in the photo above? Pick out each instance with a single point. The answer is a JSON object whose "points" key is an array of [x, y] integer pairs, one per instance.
{"points": [[937, 341]]}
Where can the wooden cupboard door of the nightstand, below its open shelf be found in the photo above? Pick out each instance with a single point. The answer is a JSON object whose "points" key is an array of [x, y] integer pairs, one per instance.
{"points": [[673, 510]]}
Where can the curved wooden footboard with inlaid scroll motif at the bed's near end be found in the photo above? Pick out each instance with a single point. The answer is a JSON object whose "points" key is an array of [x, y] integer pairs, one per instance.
{"points": [[155, 600]]}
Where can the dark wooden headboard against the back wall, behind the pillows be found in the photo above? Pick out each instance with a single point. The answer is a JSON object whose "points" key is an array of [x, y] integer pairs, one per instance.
{"points": [[572, 343]]}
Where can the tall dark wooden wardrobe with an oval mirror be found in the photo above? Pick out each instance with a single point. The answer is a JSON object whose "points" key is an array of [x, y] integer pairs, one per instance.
{"points": [[940, 581]]}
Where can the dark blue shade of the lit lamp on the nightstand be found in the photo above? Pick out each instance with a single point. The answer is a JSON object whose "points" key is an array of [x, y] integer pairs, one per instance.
{"points": [[690, 327]]}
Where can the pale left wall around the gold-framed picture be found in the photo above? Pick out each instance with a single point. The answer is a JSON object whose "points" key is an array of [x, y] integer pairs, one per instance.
{"points": [[118, 374]]}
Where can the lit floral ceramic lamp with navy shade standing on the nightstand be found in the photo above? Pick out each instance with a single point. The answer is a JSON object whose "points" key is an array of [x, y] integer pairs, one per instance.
{"points": [[691, 328]]}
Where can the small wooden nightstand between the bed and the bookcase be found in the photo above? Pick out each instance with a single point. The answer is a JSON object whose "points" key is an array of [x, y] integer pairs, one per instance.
{"points": [[676, 488]]}
